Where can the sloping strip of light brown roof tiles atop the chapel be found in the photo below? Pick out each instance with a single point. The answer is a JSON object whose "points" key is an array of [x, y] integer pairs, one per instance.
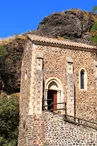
{"points": [[40, 40]]}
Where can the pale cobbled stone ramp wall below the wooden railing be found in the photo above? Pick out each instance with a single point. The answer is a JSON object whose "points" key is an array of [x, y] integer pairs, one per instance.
{"points": [[59, 133]]}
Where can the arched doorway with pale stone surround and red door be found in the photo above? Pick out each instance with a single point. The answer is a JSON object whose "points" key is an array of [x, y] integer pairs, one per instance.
{"points": [[53, 94]]}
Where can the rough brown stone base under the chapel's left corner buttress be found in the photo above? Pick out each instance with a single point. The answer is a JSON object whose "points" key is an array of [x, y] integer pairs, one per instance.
{"points": [[32, 131]]}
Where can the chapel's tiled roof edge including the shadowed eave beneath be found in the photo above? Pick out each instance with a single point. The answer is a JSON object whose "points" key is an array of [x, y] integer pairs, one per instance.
{"points": [[38, 40]]}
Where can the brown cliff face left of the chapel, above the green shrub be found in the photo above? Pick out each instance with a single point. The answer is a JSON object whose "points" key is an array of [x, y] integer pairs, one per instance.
{"points": [[10, 64]]}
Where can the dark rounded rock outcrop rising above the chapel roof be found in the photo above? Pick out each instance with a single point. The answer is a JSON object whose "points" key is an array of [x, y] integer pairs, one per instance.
{"points": [[73, 24]]}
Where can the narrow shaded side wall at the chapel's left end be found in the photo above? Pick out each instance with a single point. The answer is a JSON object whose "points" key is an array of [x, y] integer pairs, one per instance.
{"points": [[25, 92]]}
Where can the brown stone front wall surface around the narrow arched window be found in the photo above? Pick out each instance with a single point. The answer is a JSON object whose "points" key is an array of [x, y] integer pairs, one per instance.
{"points": [[55, 66]]}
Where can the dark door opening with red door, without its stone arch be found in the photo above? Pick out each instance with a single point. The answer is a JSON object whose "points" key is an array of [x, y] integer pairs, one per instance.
{"points": [[52, 100]]}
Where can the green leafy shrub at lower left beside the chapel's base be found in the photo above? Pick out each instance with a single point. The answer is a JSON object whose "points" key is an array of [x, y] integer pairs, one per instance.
{"points": [[9, 119]]}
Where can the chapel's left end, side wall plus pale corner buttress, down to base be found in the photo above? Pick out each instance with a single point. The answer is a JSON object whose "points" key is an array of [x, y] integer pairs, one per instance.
{"points": [[31, 119]]}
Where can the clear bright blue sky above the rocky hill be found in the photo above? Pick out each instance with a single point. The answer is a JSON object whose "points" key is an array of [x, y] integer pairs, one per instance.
{"points": [[19, 16]]}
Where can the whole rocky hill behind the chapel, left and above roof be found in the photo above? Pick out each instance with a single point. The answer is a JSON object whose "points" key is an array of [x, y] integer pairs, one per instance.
{"points": [[77, 25]]}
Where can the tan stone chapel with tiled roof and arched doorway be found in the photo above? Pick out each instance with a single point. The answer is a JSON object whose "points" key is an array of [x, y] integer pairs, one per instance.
{"points": [[57, 76]]}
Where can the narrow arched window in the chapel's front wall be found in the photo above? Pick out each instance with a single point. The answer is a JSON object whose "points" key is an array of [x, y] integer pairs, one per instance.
{"points": [[83, 79]]}
